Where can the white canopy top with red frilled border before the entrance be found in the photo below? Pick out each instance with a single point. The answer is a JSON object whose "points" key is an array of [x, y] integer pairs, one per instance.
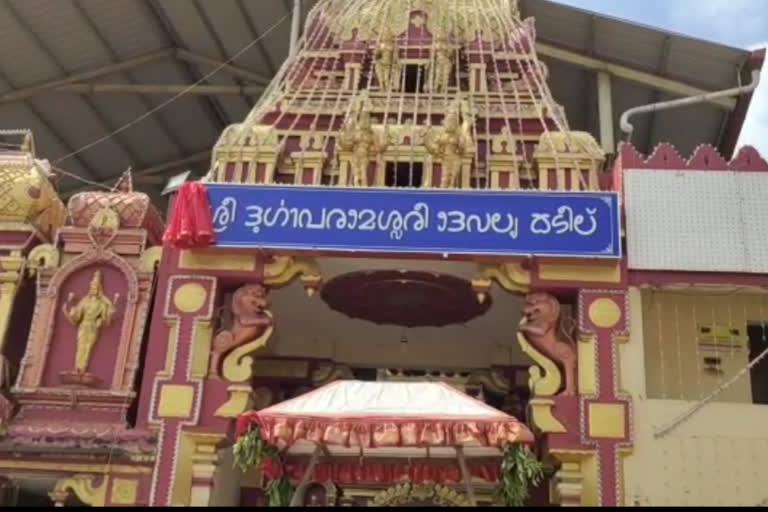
{"points": [[387, 419]]}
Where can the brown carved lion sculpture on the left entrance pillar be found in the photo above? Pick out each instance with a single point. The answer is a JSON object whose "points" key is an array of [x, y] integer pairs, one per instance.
{"points": [[249, 308]]}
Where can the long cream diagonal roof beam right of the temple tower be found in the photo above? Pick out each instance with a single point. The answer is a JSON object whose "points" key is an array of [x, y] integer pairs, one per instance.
{"points": [[629, 74]]}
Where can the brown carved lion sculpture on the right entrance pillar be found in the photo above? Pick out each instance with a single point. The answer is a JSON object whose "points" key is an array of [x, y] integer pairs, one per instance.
{"points": [[542, 312]]}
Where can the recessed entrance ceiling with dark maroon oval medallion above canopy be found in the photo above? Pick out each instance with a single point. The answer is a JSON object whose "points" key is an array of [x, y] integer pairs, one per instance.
{"points": [[398, 319]]}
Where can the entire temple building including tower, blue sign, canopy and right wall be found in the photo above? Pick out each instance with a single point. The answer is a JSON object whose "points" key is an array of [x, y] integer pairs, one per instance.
{"points": [[403, 278]]}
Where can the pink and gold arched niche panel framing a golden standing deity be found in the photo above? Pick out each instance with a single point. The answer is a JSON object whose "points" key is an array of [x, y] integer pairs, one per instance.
{"points": [[88, 325]]}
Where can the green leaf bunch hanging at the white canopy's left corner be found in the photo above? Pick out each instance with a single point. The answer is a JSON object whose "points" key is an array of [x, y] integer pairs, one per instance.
{"points": [[252, 451]]}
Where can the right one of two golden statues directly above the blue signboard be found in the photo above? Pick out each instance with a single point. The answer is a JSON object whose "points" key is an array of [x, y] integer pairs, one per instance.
{"points": [[450, 145]]}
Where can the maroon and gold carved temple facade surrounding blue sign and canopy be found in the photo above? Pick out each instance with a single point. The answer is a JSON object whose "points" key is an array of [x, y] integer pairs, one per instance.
{"points": [[126, 361]]}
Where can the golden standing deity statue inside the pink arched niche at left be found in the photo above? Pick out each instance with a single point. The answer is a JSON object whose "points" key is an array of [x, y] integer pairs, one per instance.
{"points": [[93, 312]]}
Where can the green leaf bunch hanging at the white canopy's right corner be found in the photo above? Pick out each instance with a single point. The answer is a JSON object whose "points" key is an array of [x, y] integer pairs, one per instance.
{"points": [[519, 470]]}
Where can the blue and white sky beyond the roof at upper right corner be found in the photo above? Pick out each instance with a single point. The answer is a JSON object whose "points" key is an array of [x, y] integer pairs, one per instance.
{"points": [[738, 23]]}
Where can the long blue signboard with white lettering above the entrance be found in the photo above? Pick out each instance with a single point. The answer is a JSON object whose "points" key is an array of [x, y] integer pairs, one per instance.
{"points": [[432, 221]]}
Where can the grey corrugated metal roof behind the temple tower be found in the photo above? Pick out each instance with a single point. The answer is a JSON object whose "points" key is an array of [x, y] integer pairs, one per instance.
{"points": [[45, 40]]}
